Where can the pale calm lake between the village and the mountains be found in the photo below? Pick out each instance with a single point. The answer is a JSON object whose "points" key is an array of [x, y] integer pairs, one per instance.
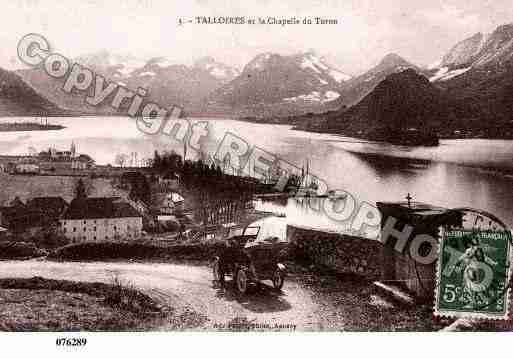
{"points": [[458, 173]]}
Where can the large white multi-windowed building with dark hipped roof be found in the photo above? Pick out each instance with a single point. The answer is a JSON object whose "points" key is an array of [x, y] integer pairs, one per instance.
{"points": [[95, 219]]}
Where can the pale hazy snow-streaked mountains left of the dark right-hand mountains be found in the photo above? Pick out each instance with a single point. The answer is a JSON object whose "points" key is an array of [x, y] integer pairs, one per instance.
{"points": [[270, 81]]}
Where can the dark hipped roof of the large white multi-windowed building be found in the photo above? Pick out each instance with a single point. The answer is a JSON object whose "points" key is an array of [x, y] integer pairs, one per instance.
{"points": [[100, 207]]}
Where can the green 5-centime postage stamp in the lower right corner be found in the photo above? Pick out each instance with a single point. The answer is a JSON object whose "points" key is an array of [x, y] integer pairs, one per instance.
{"points": [[473, 274]]}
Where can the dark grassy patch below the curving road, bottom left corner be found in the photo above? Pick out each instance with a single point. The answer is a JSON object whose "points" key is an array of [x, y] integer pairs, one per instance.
{"points": [[38, 304]]}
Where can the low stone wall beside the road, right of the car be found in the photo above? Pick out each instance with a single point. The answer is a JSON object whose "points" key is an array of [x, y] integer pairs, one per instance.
{"points": [[342, 253]]}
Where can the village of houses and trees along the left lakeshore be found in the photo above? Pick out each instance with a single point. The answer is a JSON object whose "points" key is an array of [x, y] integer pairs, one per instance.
{"points": [[132, 203]]}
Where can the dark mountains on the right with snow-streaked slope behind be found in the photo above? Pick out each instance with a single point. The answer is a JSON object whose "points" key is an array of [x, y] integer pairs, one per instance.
{"points": [[465, 94]]}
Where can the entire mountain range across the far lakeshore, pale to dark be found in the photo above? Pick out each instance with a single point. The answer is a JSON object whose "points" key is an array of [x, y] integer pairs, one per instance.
{"points": [[466, 93]]}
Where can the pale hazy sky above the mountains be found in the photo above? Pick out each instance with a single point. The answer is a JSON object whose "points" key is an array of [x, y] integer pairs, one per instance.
{"points": [[420, 31]]}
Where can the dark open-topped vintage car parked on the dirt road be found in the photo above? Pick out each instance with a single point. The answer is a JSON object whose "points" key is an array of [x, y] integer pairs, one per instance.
{"points": [[251, 256]]}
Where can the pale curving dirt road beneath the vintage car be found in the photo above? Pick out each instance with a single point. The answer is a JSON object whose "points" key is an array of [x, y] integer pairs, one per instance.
{"points": [[186, 286]]}
